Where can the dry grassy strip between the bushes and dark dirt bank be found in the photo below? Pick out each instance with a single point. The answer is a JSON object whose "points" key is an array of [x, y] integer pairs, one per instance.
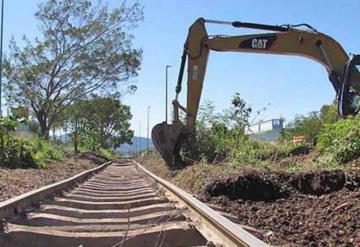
{"points": [[193, 178]]}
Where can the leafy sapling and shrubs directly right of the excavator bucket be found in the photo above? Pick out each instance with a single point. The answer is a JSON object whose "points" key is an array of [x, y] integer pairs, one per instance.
{"points": [[217, 134]]}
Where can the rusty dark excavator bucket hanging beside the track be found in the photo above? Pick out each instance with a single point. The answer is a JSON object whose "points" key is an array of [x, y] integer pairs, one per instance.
{"points": [[165, 138]]}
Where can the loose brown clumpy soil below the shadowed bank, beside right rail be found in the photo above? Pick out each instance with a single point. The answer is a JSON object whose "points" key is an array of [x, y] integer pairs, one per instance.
{"points": [[302, 220]]}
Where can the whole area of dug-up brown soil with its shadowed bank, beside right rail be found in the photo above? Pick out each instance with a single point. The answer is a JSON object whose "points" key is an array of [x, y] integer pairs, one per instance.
{"points": [[307, 209]]}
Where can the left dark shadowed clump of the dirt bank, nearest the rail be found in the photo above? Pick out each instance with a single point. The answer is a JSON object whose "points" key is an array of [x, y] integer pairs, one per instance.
{"points": [[252, 186]]}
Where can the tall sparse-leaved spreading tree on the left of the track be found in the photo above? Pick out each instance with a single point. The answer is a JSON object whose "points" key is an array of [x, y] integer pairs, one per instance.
{"points": [[85, 48]]}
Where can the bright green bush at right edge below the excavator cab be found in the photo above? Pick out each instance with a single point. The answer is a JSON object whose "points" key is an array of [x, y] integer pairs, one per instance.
{"points": [[341, 140]]}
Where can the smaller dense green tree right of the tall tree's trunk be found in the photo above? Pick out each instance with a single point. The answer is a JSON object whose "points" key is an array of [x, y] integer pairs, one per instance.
{"points": [[100, 122]]}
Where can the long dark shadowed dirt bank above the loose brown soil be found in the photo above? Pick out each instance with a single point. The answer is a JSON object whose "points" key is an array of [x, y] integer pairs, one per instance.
{"points": [[257, 185]]}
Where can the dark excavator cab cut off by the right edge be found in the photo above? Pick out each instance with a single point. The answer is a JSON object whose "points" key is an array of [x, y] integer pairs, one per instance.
{"points": [[349, 98]]}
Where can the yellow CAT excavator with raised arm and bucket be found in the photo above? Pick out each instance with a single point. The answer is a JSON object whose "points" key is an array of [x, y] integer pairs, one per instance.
{"points": [[301, 40]]}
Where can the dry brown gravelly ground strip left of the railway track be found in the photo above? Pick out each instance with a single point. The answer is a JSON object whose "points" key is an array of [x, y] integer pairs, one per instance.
{"points": [[14, 182]]}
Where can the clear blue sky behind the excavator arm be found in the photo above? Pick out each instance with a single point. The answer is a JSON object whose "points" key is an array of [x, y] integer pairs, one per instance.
{"points": [[292, 85]]}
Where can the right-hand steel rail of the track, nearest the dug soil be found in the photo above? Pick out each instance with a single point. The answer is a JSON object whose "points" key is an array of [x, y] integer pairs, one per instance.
{"points": [[210, 222]]}
